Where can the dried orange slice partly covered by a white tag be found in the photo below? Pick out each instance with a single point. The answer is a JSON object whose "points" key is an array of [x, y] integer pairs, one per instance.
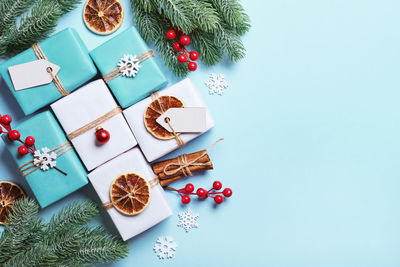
{"points": [[154, 110]]}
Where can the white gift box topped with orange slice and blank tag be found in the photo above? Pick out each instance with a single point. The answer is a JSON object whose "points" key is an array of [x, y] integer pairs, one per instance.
{"points": [[152, 147]]}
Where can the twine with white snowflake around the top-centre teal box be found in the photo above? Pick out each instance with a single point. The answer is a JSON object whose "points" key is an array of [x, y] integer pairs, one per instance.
{"points": [[128, 66]]}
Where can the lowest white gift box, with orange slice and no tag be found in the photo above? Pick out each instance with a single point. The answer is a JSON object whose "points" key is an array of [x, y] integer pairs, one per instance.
{"points": [[157, 210]]}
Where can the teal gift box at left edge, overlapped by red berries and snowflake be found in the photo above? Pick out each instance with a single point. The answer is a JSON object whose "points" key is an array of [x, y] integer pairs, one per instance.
{"points": [[51, 185]]}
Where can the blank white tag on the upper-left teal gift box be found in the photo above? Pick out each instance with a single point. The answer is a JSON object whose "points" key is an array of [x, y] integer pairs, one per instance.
{"points": [[32, 74]]}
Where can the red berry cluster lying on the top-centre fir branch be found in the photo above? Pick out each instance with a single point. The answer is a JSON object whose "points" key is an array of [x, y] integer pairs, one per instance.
{"points": [[179, 46]]}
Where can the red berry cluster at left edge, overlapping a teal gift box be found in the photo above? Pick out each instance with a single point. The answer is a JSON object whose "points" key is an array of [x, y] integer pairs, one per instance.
{"points": [[14, 135]]}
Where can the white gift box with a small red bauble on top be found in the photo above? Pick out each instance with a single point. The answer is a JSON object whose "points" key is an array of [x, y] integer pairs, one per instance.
{"points": [[81, 112]]}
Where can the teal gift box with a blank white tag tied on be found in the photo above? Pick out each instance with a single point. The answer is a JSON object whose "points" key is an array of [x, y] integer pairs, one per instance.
{"points": [[65, 49]]}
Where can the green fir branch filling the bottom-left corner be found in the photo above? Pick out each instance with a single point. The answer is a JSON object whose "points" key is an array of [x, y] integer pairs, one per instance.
{"points": [[66, 240]]}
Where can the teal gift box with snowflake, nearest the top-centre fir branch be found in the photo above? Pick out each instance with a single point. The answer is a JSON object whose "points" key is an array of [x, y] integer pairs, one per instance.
{"points": [[128, 90]]}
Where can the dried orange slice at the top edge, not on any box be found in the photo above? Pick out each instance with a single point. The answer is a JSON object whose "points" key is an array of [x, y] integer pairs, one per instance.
{"points": [[103, 16]]}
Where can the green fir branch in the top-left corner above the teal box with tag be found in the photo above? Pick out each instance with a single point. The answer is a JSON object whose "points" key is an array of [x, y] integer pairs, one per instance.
{"points": [[24, 22]]}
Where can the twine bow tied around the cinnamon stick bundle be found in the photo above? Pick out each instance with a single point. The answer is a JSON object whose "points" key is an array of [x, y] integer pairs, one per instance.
{"points": [[183, 165]]}
